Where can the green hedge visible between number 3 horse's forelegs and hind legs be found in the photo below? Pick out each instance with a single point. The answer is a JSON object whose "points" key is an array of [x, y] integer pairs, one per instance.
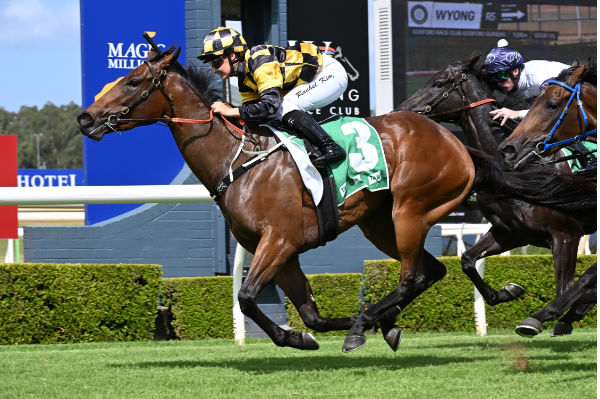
{"points": [[337, 295]]}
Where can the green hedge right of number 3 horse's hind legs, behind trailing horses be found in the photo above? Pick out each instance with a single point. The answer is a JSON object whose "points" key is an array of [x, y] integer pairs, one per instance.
{"points": [[448, 304]]}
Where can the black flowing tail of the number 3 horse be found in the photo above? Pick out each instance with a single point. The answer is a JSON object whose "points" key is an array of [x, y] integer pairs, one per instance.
{"points": [[544, 186]]}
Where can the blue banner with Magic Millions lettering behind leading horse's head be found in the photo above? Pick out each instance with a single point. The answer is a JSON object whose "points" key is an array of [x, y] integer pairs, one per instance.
{"points": [[111, 46]]}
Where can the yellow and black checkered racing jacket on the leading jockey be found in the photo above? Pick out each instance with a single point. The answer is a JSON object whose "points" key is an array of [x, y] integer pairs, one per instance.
{"points": [[270, 66]]}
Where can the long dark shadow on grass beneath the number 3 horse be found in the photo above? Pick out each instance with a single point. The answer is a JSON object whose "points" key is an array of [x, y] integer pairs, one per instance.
{"points": [[261, 365]]}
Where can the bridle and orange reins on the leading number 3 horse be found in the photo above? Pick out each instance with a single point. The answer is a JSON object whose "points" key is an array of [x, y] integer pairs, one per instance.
{"points": [[114, 120]]}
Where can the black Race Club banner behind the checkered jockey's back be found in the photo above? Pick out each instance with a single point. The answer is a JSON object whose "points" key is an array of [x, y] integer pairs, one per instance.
{"points": [[335, 26]]}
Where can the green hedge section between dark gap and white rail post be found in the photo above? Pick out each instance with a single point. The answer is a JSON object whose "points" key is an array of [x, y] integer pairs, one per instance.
{"points": [[201, 307]]}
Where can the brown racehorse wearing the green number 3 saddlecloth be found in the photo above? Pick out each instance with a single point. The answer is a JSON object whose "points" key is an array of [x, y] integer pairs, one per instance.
{"points": [[270, 212]]}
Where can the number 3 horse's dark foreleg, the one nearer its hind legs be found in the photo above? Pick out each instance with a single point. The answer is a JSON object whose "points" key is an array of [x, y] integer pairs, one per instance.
{"points": [[294, 283]]}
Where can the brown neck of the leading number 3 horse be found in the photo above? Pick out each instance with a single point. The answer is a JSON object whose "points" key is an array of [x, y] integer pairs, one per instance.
{"points": [[208, 149]]}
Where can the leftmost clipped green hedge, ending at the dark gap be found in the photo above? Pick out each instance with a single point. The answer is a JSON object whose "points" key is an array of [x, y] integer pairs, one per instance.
{"points": [[54, 303]]}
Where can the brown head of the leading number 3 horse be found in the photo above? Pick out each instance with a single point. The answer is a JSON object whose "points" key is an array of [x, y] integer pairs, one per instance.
{"points": [[139, 98]]}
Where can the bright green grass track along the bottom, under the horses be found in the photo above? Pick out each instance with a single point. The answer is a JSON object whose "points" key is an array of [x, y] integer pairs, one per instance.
{"points": [[501, 365]]}
